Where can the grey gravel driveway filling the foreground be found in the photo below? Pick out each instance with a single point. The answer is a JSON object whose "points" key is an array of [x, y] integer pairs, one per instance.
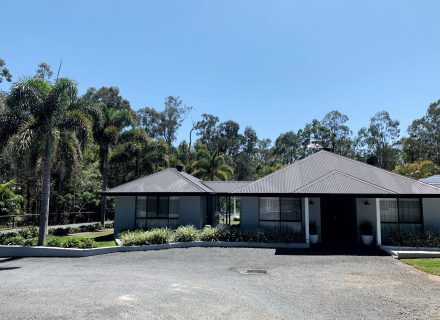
{"points": [[210, 283]]}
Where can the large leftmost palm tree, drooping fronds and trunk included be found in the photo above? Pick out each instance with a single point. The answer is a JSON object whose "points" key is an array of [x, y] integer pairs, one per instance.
{"points": [[36, 115]]}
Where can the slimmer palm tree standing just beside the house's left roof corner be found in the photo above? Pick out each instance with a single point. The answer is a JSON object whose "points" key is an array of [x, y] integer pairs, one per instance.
{"points": [[111, 115]]}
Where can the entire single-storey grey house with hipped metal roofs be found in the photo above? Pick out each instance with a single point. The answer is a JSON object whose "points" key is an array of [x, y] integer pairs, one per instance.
{"points": [[336, 192]]}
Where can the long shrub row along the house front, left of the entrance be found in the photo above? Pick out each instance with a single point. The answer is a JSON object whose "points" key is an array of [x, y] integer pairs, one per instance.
{"points": [[190, 233]]}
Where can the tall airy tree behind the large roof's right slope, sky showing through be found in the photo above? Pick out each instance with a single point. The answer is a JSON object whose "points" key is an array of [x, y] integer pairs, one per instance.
{"points": [[380, 139]]}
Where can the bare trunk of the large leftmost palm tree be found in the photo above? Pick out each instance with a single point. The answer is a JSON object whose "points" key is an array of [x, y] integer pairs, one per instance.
{"points": [[45, 191]]}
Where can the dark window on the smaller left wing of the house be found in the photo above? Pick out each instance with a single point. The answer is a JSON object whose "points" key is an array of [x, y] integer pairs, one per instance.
{"points": [[156, 212]]}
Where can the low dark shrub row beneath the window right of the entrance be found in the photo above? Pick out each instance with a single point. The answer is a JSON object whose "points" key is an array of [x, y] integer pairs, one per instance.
{"points": [[408, 239]]}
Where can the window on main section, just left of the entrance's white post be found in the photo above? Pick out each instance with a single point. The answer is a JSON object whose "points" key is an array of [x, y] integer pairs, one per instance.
{"points": [[281, 213]]}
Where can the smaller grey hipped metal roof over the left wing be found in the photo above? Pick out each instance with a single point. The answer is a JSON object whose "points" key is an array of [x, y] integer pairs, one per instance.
{"points": [[166, 181]]}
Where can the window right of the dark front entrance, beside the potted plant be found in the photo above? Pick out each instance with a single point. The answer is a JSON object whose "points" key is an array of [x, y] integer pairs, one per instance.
{"points": [[400, 215]]}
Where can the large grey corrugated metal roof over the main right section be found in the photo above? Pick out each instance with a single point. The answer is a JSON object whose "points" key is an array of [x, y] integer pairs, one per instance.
{"points": [[327, 173]]}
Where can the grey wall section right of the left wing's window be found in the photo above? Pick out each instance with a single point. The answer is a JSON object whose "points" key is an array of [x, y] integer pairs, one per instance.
{"points": [[192, 210]]}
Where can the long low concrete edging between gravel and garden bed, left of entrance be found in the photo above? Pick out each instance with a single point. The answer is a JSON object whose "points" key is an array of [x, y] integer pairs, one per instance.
{"points": [[23, 251]]}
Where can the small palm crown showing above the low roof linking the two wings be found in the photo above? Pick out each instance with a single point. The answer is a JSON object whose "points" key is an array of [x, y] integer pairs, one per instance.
{"points": [[211, 165]]}
